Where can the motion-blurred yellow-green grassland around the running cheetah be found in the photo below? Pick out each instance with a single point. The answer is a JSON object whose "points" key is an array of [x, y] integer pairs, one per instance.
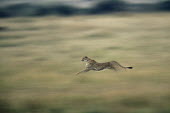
{"points": [[40, 56]]}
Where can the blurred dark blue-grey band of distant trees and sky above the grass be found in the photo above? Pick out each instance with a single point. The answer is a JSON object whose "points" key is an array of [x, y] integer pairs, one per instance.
{"points": [[12, 8]]}
